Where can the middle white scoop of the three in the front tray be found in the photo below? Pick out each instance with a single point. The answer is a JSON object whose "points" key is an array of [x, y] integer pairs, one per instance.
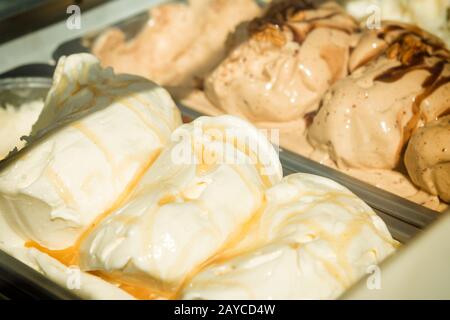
{"points": [[197, 197]]}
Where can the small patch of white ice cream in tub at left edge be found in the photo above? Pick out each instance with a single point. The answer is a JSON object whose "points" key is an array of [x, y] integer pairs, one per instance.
{"points": [[16, 122]]}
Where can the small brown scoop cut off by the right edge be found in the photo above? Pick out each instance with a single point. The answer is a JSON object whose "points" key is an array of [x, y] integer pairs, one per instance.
{"points": [[427, 158]]}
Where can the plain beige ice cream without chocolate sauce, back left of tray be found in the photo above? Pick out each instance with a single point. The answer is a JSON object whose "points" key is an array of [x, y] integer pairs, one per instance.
{"points": [[179, 43]]}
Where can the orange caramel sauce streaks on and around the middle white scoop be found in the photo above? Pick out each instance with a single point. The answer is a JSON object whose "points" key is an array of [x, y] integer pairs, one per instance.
{"points": [[154, 289]]}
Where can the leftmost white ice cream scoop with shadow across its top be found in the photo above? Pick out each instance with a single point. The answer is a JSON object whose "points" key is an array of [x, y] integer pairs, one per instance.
{"points": [[98, 132]]}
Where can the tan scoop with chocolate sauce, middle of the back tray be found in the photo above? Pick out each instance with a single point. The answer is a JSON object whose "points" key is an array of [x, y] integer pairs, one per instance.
{"points": [[283, 63]]}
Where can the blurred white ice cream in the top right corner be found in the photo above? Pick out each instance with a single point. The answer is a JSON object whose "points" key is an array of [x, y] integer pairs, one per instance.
{"points": [[431, 15]]}
